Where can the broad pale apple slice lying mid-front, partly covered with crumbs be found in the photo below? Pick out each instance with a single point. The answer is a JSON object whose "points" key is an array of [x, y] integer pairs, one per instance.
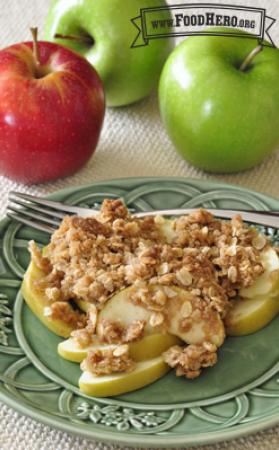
{"points": [[121, 308]]}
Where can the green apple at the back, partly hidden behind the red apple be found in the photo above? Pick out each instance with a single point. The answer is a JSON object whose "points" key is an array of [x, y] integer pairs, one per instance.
{"points": [[128, 74]]}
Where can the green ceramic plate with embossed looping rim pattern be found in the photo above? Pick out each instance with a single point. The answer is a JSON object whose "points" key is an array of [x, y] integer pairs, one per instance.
{"points": [[239, 395]]}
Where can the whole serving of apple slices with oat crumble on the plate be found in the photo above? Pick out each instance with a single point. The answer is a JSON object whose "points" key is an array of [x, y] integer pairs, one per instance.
{"points": [[136, 297]]}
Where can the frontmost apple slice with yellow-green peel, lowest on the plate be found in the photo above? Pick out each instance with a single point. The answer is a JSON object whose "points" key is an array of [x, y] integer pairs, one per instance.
{"points": [[145, 373]]}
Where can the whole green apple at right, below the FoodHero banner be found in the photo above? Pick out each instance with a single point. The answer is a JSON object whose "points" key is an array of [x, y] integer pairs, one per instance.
{"points": [[219, 118]]}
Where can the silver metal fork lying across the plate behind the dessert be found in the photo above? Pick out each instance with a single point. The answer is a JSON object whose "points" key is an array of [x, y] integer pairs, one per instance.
{"points": [[46, 215]]}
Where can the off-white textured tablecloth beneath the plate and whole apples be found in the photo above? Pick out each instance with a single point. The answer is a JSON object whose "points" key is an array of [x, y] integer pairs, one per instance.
{"points": [[133, 143]]}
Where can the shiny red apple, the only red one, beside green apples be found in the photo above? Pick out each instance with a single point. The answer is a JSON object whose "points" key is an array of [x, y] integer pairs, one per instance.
{"points": [[49, 126]]}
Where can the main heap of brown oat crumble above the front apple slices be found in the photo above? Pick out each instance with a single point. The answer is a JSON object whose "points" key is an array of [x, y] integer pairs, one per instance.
{"points": [[92, 258]]}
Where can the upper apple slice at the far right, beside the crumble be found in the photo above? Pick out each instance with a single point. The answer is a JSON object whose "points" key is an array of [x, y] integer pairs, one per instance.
{"points": [[268, 282]]}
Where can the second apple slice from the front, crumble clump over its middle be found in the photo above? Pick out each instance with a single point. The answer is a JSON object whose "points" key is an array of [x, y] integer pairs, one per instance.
{"points": [[149, 347]]}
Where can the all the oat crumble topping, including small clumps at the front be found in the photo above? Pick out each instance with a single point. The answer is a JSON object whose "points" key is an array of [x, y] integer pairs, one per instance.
{"points": [[93, 258]]}
